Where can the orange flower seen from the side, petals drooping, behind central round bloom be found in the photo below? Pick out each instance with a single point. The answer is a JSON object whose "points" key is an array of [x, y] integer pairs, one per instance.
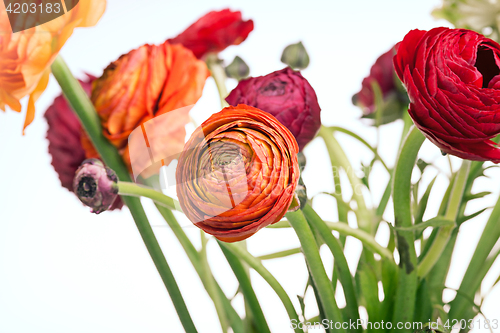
{"points": [[143, 84]]}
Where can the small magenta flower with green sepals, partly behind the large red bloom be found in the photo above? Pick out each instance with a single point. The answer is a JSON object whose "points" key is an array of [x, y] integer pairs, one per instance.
{"points": [[394, 97]]}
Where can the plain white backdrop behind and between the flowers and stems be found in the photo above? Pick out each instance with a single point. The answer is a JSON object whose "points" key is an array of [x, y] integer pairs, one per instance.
{"points": [[63, 269]]}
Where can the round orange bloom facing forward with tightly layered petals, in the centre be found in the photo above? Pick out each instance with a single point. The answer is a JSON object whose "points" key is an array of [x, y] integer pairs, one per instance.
{"points": [[238, 173]]}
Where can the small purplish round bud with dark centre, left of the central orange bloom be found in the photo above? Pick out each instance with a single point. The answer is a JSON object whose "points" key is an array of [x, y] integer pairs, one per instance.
{"points": [[96, 185]]}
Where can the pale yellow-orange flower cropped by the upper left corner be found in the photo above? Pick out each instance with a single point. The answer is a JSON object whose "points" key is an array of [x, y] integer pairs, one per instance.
{"points": [[26, 56]]}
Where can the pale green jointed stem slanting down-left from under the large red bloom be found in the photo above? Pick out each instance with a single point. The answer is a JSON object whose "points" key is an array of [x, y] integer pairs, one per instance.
{"points": [[444, 233]]}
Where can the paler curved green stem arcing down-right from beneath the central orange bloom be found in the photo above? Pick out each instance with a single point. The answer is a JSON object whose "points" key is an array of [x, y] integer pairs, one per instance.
{"points": [[267, 276]]}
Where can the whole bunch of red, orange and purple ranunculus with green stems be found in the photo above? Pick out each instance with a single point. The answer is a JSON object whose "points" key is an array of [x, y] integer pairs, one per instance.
{"points": [[128, 134]]}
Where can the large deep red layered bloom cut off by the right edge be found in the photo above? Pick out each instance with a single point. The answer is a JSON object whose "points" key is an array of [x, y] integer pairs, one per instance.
{"points": [[452, 78]]}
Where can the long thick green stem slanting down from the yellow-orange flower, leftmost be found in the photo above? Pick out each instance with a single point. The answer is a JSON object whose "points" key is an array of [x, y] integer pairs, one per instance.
{"points": [[83, 107]]}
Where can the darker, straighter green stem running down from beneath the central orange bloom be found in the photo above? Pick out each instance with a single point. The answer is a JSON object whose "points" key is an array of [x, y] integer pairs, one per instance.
{"points": [[247, 290]]}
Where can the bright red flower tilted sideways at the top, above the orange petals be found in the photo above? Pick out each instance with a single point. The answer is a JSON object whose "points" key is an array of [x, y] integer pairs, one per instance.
{"points": [[214, 32]]}
